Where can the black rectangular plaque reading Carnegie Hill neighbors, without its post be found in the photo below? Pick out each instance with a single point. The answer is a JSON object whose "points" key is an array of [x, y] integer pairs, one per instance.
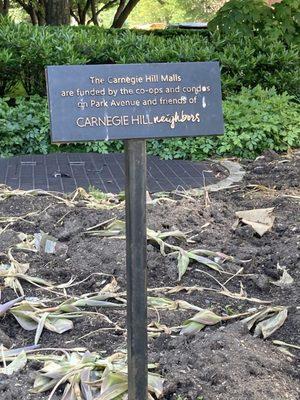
{"points": [[105, 102]]}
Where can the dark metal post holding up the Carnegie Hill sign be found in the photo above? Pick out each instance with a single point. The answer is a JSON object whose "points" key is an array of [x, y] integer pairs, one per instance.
{"points": [[136, 245]]}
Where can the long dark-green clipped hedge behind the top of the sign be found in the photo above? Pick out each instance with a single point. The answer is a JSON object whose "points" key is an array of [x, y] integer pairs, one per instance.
{"points": [[245, 61]]}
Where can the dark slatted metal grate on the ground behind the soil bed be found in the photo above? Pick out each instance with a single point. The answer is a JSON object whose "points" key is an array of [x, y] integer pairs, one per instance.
{"points": [[64, 172]]}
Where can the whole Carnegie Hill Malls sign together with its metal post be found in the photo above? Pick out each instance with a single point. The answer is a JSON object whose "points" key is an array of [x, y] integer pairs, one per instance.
{"points": [[132, 103]]}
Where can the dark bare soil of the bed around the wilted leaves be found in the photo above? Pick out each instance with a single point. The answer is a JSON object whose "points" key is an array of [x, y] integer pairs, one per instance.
{"points": [[223, 361]]}
